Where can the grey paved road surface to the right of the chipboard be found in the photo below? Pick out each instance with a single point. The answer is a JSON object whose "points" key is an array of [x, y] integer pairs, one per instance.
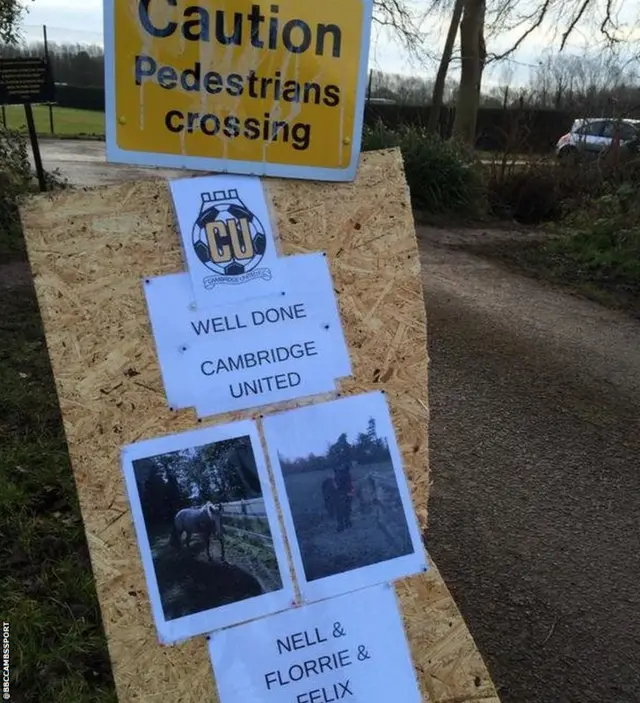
{"points": [[535, 456]]}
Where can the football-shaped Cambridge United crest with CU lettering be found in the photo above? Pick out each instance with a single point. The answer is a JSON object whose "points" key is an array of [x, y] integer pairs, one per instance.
{"points": [[229, 240]]}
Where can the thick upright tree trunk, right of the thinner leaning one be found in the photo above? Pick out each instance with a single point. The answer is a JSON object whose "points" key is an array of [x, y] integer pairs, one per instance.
{"points": [[473, 52]]}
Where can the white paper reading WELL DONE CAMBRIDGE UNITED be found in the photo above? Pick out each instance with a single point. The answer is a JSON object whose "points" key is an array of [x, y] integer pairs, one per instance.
{"points": [[254, 352]]}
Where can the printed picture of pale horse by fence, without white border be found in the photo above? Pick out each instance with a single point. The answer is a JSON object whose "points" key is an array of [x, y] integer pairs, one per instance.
{"points": [[207, 526]]}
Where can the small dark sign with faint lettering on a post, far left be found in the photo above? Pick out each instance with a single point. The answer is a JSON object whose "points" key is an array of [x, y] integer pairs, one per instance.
{"points": [[25, 80]]}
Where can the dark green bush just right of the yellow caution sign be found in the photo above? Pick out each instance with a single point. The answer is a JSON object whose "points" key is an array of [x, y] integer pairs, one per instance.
{"points": [[442, 175]]}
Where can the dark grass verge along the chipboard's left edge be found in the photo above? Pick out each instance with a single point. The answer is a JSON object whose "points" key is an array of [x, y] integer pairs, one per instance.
{"points": [[47, 593]]}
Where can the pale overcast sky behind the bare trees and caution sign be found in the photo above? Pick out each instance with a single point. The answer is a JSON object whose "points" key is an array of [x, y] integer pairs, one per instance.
{"points": [[81, 20]]}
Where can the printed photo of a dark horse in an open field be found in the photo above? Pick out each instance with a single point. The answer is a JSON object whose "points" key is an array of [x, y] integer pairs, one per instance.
{"points": [[341, 484]]}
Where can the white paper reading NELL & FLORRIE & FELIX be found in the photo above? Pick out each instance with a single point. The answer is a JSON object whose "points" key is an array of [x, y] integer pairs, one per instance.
{"points": [[351, 648]]}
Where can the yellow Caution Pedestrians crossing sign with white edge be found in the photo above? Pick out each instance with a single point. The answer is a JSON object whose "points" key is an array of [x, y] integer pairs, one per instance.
{"points": [[268, 88]]}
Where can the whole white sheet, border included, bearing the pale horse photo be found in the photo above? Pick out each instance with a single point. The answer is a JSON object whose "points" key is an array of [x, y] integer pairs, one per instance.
{"points": [[193, 590]]}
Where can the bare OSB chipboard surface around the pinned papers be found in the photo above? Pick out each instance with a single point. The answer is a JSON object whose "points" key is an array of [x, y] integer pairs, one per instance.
{"points": [[89, 251]]}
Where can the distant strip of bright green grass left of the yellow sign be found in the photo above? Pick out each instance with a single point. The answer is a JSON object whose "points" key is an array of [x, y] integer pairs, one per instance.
{"points": [[67, 122]]}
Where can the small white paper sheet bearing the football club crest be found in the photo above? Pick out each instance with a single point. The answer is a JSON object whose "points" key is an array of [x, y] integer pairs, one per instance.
{"points": [[227, 238]]}
